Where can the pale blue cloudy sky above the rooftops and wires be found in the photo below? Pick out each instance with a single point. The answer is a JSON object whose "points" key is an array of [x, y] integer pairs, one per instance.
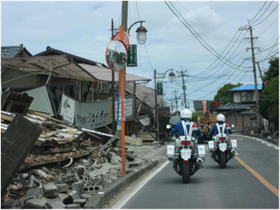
{"points": [[205, 39]]}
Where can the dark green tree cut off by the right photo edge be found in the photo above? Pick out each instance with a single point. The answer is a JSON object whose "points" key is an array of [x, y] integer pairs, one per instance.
{"points": [[269, 102]]}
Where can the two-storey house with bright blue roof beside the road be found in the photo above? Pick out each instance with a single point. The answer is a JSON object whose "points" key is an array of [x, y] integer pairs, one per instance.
{"points": [[241, 111]]}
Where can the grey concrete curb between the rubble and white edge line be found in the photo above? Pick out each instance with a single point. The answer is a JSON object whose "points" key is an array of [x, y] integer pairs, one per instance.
{"points": [[97, 201]]}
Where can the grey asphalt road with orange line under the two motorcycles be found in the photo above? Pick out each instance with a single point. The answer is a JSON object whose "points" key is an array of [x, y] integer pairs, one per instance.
{"points": [[254, 185]]}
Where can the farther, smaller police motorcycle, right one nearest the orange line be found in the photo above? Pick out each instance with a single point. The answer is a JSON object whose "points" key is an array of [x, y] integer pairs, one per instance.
{"points": [[222, 147]]}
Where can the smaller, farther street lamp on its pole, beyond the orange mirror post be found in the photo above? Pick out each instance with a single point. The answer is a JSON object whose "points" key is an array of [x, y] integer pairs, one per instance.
{"points": [[171, 78]]}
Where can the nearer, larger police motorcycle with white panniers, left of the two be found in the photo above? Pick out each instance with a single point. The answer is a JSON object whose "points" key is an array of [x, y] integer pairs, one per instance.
{"points": [[187, 155]]}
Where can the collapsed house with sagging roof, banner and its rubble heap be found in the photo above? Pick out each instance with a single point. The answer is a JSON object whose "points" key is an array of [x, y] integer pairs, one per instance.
{"points": [[55, 157]]}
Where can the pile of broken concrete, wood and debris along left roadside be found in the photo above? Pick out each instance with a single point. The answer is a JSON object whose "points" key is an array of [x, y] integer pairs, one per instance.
{"points": [[66, 166]]}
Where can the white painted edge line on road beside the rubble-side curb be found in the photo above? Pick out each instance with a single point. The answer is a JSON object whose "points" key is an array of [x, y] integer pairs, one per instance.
{"points": [[135, 189]]}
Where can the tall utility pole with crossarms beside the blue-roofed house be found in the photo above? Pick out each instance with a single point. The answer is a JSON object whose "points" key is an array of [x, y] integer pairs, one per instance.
{"points": [[254, 71]]}
